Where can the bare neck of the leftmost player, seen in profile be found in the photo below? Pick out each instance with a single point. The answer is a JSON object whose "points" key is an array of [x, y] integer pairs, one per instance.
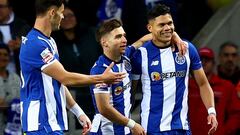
{"points": [[43, 25]]}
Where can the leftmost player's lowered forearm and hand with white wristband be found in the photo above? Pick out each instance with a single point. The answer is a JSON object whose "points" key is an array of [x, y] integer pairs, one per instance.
{"points": [[78, 112]]}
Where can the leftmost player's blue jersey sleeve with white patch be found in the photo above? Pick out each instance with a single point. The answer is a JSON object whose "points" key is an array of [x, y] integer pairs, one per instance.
{"points": [[38, 54]]}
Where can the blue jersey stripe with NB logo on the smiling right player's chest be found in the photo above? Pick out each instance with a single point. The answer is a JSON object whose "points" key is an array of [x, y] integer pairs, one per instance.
{"points": [[156, 101]]}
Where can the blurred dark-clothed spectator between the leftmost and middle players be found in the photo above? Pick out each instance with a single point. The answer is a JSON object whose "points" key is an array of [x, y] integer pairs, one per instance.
{"points": [[78, 50]]}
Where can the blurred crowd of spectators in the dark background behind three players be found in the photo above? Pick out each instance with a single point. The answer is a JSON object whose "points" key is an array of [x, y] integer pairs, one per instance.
{"points": [[79, 50]]}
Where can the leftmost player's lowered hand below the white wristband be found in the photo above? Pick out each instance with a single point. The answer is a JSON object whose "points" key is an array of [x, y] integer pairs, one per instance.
{"points": [[86, 123]]}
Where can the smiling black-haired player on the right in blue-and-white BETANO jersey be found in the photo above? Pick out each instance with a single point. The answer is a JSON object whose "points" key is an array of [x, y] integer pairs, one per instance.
{"points": [[164, 77]]}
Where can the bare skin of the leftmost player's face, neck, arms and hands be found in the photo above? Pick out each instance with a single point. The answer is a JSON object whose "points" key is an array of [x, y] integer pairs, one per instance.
{"points": [[50, 21]]}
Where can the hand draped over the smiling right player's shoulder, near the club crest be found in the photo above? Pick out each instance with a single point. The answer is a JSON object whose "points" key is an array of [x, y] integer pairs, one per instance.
{"points": [[182, 46]]}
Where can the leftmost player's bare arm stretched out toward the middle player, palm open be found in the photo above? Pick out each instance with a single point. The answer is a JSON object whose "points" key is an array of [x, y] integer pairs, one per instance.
{"points": [[57, 71]]}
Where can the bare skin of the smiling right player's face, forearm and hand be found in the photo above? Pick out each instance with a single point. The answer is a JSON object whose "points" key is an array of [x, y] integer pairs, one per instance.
{"points": [[162, 29]]}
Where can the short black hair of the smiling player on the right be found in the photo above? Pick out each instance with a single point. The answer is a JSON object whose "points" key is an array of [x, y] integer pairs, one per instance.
{"points": [[159, 9]]}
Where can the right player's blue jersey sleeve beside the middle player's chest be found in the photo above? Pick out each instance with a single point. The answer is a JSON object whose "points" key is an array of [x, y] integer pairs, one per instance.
{"points": [[136, 62]]}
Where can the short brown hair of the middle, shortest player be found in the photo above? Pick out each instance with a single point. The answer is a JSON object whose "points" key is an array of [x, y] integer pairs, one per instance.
{"points": [[106, 27]]}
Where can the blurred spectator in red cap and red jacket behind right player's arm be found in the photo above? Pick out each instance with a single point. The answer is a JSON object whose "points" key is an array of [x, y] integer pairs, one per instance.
{"points": [[226, 102]]}
